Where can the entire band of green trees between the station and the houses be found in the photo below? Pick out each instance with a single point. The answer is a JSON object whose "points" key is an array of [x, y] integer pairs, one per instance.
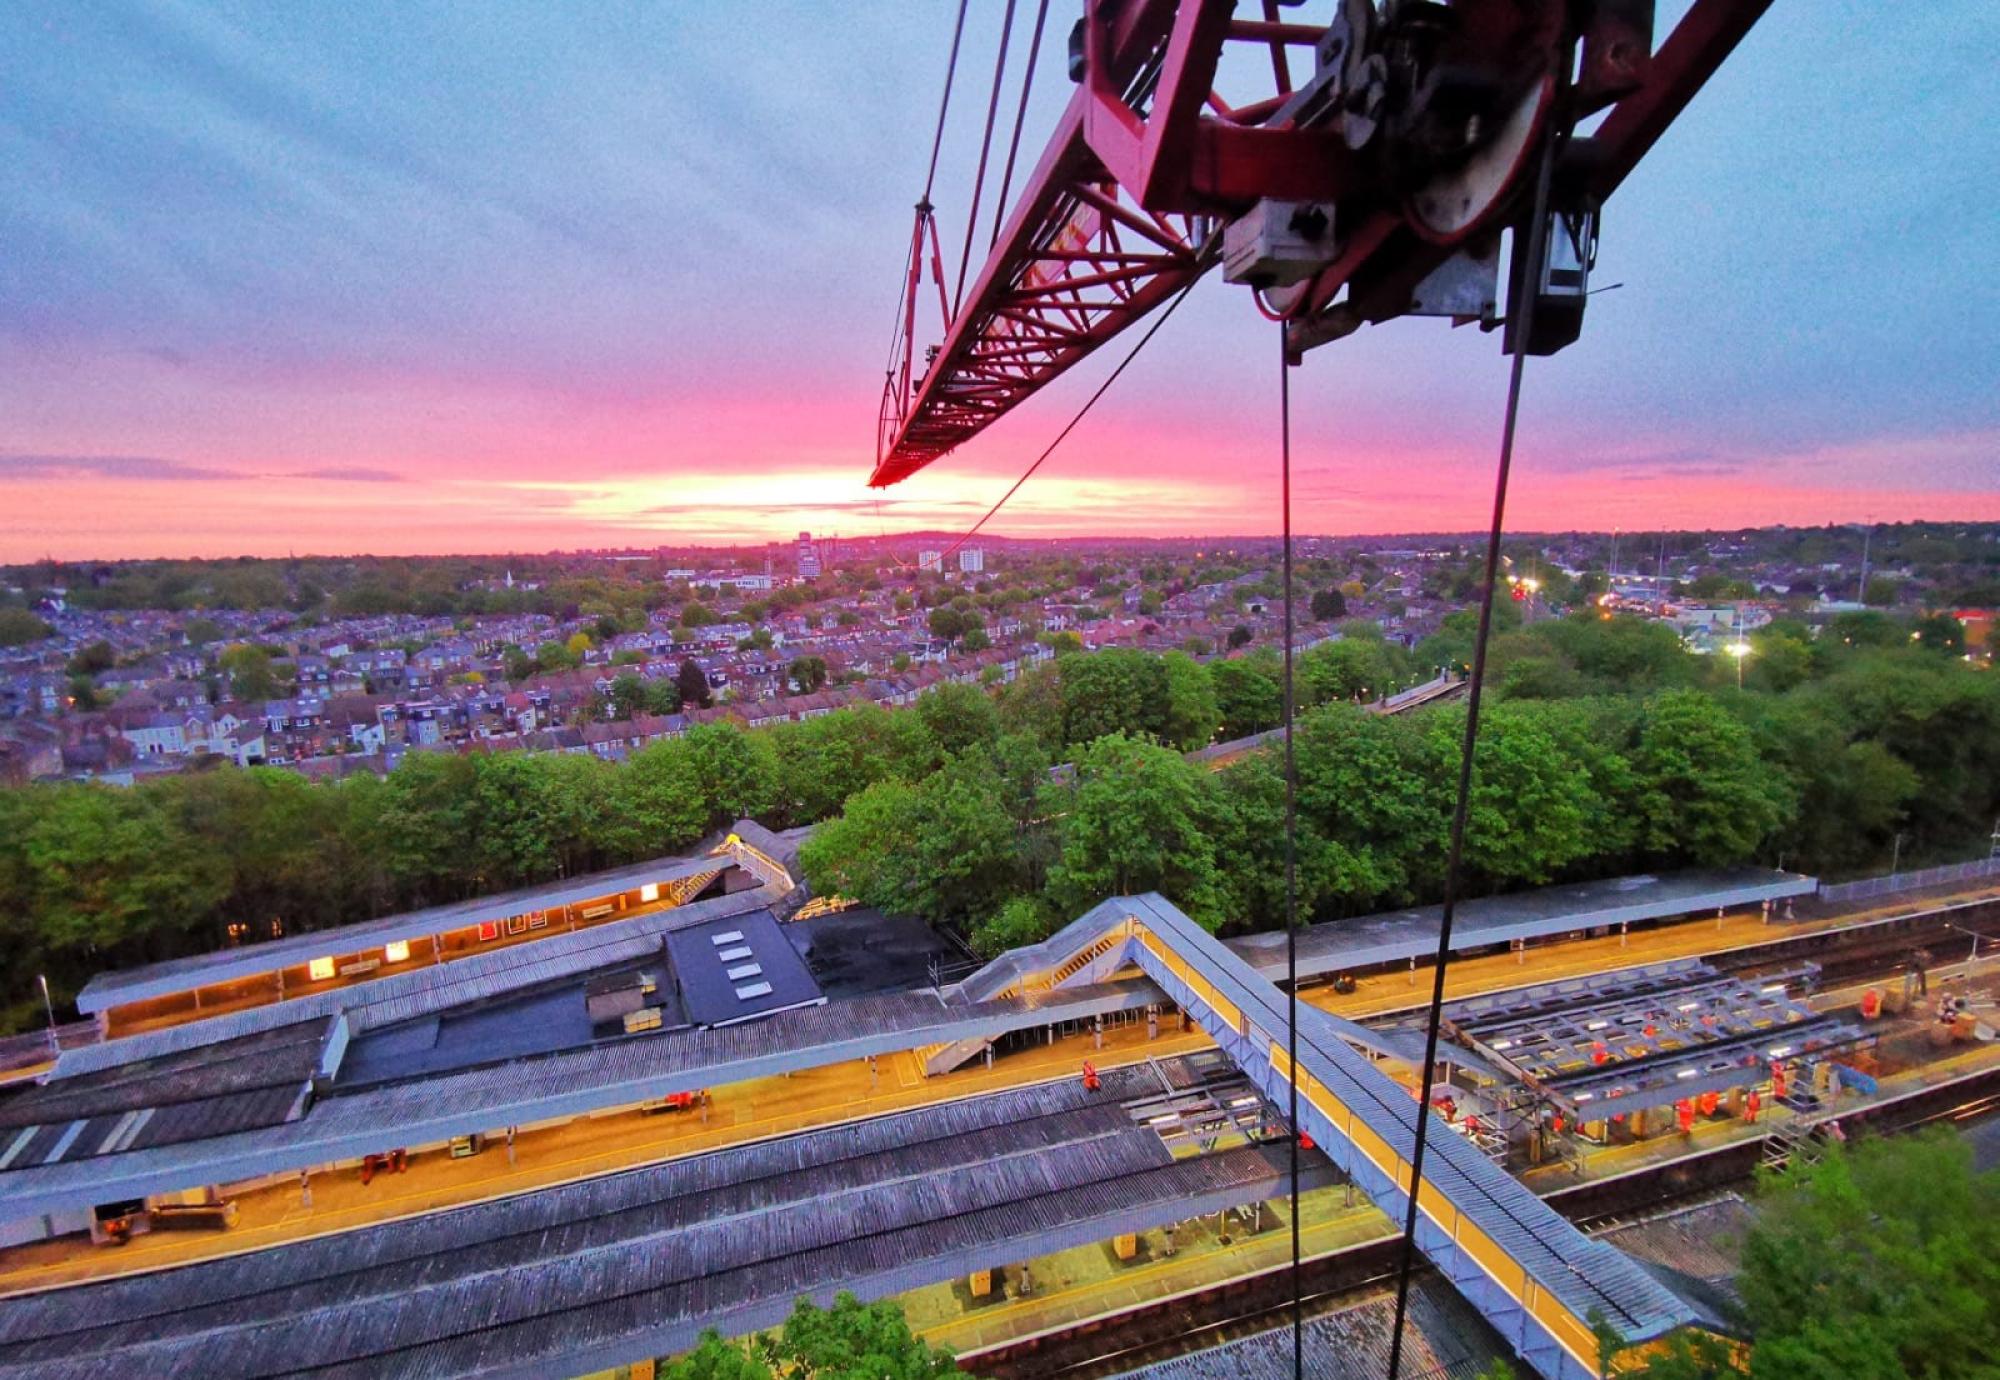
{"points": [[957, 809]]}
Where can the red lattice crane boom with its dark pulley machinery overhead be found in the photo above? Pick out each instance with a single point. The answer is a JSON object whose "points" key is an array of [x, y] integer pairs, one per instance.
{"points": [[1377, 187]]}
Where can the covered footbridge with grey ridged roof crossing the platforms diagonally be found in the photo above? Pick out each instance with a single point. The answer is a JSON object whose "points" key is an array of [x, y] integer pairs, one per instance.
{"points": [[1533, 1277]]}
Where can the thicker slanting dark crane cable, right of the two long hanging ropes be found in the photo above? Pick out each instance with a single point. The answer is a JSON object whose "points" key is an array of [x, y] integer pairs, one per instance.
{"points": [[1521, 331]]}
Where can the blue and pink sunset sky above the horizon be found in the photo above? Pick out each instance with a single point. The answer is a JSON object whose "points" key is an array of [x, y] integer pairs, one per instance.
{"points": [[421, 279]]}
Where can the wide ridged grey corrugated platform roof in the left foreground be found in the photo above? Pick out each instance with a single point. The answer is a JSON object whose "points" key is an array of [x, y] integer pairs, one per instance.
{"points": [[637, 1263]]}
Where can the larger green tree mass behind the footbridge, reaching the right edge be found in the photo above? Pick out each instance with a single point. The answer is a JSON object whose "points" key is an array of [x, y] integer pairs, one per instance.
{"points": [[1605, 753]]}
